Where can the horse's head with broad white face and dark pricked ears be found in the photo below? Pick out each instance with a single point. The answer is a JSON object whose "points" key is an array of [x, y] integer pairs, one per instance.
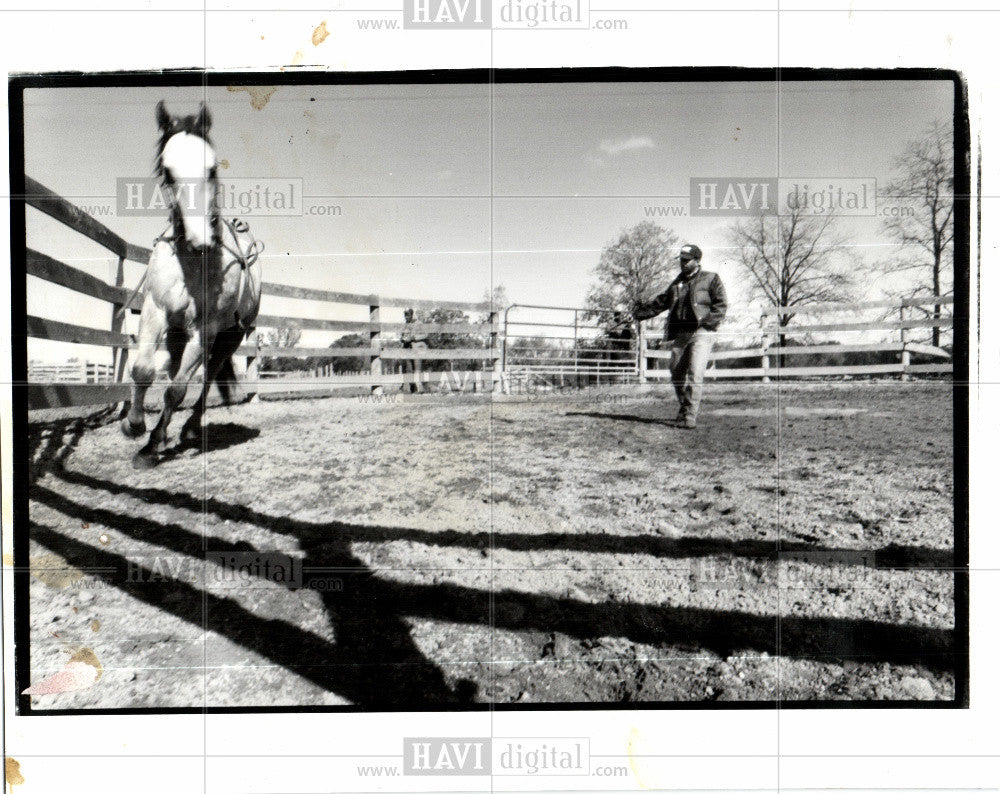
{"points": [[185, 162]]}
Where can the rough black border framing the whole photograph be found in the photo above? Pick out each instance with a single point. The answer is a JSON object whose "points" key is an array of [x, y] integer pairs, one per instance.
{"points": [[200, 78]]}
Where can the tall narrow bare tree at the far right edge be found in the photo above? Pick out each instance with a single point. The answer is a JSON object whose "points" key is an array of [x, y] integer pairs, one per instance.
{"points": [[924, 222]]}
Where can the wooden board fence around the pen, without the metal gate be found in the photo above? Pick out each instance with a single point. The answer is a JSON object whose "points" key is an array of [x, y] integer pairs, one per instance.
{"points": [[482, 353]]}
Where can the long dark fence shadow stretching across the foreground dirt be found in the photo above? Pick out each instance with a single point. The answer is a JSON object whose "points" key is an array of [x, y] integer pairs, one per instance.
{"points": [[375, 662]]}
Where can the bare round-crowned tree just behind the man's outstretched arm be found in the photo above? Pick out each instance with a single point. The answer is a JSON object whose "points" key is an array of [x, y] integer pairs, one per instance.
{"points": [[632, 269]]}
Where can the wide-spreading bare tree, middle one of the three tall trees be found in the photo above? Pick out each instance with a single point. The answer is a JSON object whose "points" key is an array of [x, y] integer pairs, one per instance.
{"points": [[794, 259]]}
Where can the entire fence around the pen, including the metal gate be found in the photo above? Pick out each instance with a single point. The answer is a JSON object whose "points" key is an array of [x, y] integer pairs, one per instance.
{"points": [[500, 351]]}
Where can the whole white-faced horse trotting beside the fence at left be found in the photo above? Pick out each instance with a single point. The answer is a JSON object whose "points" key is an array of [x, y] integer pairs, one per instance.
{"points": [[202, 285]]}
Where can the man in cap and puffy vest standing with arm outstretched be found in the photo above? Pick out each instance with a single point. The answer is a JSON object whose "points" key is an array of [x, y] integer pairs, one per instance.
{"points": [[696, 301]]}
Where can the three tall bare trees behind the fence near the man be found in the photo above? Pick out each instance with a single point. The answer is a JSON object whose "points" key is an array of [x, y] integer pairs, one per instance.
{"points": [[798, 259]]}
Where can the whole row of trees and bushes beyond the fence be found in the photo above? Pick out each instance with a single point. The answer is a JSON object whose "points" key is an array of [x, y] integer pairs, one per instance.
{"points": [[795, 259]]}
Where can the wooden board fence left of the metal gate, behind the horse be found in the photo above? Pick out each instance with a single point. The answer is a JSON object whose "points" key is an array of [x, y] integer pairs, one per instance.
{"points": [[380, 335]]}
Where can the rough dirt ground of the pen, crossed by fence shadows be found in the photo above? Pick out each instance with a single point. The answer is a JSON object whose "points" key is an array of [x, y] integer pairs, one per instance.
{"points": [[563, 548]]}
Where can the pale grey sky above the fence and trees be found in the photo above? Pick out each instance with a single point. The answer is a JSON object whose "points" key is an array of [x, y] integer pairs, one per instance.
{"points": [[445, 191]]}
